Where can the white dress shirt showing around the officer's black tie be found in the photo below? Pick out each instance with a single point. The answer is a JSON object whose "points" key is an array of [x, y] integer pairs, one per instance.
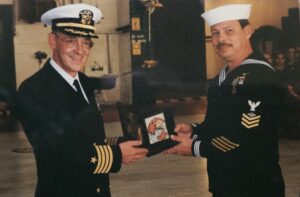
{"points": [[70, 80]]}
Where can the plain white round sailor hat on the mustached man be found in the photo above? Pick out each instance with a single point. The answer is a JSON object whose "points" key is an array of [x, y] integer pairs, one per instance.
{"points": [[227, 13]]}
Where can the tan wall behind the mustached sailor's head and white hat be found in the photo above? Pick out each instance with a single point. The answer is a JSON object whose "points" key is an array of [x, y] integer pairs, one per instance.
{"points": [[267, 12]]}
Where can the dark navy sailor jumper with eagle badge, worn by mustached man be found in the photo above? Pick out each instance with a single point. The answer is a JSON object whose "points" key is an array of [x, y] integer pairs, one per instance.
{"points": [[239, 134]]}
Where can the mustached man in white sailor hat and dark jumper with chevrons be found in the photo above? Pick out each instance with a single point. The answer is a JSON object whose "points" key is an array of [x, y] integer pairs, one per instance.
{"points": [[239, 134]]}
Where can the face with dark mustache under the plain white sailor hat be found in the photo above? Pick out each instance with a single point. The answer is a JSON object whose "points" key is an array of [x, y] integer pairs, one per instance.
{"points": [[230, 40]]}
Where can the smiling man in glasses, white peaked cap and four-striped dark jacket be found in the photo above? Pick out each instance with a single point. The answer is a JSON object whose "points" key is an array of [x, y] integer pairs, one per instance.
{"points": [[60, 117]]}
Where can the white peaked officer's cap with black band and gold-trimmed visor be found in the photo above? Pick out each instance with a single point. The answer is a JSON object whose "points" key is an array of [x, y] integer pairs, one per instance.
{"points": [[73, 19]]}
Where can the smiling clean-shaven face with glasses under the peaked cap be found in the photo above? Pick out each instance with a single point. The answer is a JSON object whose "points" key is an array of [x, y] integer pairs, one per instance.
{"points": [[69, 52]]}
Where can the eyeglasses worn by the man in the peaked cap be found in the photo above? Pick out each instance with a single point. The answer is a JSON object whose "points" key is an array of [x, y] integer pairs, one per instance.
{"points": [[72, 42]]}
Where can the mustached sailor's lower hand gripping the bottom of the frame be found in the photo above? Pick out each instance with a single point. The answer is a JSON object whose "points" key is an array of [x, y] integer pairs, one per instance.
{"points": [[183, 148]]}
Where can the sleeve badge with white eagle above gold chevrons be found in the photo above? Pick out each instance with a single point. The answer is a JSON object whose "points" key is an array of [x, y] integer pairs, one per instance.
{"points": [[251, 120]]}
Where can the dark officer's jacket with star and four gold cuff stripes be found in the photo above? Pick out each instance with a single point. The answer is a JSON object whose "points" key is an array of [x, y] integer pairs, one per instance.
{"points": [[67, 136]]}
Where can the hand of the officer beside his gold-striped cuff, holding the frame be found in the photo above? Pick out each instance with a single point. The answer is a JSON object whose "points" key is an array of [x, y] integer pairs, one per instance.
{"points": [[131, 153]]}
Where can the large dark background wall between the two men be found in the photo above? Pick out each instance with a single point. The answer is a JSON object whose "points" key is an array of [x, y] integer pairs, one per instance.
{"points": [[178, 46]]}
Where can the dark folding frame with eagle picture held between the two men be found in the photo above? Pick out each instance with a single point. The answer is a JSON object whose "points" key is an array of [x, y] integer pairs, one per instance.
{"points": [[152, 125]]}
